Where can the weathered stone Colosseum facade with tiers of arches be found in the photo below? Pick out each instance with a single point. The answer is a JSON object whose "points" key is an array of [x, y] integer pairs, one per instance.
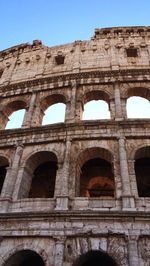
{"points": [[77, 191]]}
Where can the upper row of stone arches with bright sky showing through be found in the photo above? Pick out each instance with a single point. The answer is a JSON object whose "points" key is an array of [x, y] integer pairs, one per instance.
{"points": [[65, 105]]}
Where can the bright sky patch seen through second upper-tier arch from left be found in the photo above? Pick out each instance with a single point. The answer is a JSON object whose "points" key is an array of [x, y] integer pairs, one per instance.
{"points": [[54, 114]]}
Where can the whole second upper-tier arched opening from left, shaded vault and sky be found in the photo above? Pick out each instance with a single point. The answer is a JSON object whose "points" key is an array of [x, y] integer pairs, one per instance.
{"points": [[53, 109]]}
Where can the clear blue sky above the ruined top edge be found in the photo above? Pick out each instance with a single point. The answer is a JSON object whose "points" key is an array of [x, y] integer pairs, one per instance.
{"points": [[62, 21]]}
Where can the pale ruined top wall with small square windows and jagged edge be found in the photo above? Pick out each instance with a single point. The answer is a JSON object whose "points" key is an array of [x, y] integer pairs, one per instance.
{"points": [[110, 49]]}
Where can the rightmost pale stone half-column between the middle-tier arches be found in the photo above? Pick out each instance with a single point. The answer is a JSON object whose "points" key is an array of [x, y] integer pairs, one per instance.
{"points": [[127, 199]]}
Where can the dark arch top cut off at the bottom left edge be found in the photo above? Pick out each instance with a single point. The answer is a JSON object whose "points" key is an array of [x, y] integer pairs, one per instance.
{"points": [[25, 258]]}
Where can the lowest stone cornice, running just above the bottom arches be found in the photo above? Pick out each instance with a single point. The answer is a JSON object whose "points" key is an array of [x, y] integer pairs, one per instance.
{"points": [[78, 215]]}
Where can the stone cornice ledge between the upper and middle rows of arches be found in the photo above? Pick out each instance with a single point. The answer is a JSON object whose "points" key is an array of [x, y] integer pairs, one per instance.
{"points": [[99, 128]]}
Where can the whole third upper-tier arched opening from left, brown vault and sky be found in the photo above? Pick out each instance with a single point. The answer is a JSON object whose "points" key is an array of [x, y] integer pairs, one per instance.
{"points": [[96, 106]]}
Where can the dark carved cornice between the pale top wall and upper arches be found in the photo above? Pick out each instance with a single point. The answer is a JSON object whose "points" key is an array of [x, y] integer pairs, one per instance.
{"points": [[81, 78]]}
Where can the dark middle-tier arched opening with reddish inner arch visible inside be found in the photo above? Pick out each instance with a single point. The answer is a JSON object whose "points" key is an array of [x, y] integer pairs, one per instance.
{"points": [[96, 179]]}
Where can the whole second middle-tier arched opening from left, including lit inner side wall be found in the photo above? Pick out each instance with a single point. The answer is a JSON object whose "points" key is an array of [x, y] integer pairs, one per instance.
{"points": [[39, 176]]}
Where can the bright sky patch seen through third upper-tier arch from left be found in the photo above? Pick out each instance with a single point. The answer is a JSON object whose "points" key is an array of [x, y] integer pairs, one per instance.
{"points": [[96, 110]]}
